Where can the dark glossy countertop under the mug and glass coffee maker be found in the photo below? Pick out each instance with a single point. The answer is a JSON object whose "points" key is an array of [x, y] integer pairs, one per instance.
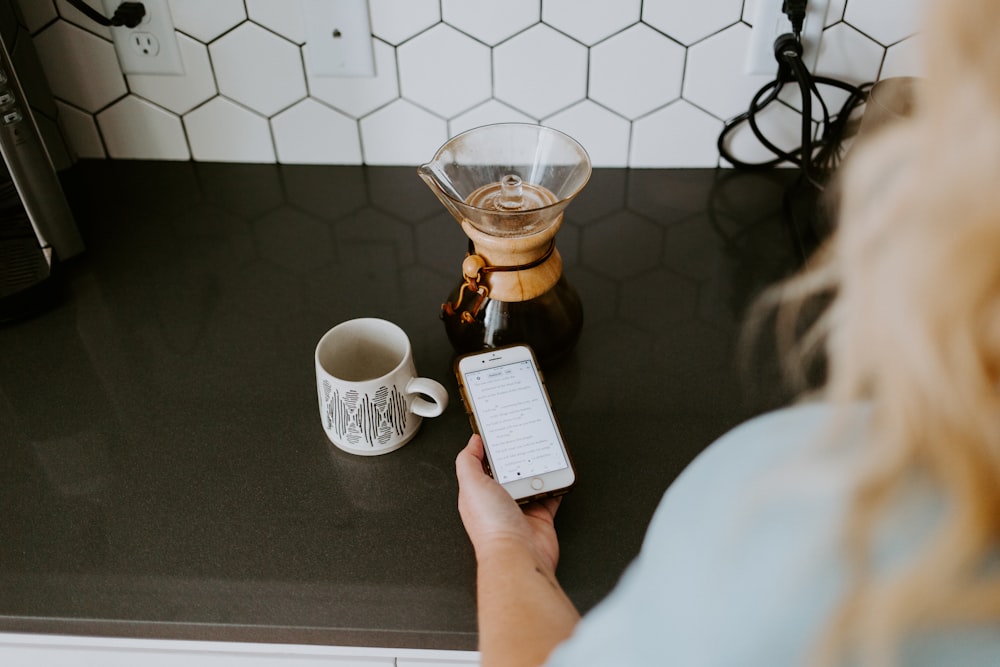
{"points": [[163, 471]]}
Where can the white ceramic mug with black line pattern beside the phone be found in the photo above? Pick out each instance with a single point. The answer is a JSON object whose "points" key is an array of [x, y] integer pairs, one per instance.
{"points": [[371, 400]]}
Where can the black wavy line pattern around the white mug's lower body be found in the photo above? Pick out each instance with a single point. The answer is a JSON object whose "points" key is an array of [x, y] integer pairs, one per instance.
{"points": [[357, 417]]}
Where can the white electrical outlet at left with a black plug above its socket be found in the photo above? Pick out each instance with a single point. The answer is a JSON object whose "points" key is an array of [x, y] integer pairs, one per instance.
{"points": [[150, 47]]}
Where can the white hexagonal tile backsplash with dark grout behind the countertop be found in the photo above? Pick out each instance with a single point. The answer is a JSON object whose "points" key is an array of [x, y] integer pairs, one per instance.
{"points": [[640, 84]]}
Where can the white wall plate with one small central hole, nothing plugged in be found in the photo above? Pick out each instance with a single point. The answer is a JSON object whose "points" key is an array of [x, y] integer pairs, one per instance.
{"points": [[338, 38]]}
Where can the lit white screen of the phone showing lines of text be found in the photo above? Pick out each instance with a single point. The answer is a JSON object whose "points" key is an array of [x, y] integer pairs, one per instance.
{"points": [[515, 422]]}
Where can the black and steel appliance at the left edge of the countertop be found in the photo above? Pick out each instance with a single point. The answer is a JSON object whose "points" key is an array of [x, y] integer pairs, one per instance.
{"points": [[37, 229]]}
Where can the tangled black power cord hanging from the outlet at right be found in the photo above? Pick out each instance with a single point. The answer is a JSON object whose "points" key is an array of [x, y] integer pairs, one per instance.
{"points": [[817, 154]]}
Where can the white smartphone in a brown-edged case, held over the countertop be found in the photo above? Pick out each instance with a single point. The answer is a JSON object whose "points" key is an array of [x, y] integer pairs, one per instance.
{"points": [[508, 405]]}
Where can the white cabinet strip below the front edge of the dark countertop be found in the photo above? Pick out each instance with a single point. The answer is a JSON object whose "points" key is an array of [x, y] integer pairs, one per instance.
{"points": [[31, 650]]}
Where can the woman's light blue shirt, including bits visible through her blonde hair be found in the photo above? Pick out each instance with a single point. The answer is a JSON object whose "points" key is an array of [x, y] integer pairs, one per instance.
{"points": [[743, 564]]}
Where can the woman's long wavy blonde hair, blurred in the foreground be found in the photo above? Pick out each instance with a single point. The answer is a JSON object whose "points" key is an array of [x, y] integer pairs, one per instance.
{"points": [[914, 327]]}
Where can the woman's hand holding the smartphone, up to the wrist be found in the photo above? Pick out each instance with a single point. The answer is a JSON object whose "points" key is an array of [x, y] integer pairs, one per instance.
{"points": [[492, 518]]}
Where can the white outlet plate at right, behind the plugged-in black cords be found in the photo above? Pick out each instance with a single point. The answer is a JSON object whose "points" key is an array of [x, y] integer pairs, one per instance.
{"points": [[770, 22]]}
